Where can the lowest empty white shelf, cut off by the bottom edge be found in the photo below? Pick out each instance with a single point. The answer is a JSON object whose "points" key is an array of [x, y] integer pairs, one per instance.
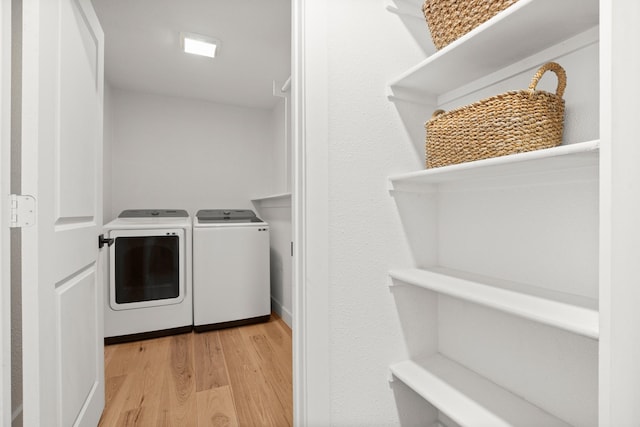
{"points": [[468, 398]]}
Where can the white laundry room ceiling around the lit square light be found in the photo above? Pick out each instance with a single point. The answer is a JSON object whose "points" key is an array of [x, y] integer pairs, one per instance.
{"points": [[142, 48]]}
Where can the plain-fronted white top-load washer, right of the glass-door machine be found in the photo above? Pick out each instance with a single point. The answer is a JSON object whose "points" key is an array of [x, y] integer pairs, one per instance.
{"points": [[231, 283]]}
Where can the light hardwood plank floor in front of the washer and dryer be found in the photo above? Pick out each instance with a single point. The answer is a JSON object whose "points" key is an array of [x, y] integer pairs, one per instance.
{"points": [[231, 377]]}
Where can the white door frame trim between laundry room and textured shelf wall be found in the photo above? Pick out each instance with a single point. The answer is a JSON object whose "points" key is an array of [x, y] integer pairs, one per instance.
{"points": [[311, 316]]}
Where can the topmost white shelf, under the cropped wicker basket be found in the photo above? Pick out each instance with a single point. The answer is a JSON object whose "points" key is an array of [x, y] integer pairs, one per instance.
{"points": [[525, 28]]}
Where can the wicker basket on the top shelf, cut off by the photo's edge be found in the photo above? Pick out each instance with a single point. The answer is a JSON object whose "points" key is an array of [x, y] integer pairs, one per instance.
{"points": [[448, 20]]}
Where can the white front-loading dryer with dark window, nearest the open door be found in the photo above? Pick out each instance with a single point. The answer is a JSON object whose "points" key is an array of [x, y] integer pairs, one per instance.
{"points": [[149, 290]]}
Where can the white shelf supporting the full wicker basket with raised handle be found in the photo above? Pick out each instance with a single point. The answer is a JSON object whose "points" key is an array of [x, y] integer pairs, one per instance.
{"points": [[565, 157]]}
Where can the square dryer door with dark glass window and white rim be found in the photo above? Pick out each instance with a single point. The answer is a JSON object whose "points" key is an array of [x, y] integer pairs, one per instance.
{"points": [[147, 268]]}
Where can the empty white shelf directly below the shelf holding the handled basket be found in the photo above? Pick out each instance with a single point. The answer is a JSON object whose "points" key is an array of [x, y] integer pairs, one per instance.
{"points": [[569, 312]]}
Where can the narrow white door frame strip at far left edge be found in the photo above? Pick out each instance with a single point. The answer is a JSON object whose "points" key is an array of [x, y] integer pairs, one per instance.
{"points": [[5, 256]]}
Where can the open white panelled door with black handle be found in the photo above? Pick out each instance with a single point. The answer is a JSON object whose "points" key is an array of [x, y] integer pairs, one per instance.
{"points": [[62, 97]]}
